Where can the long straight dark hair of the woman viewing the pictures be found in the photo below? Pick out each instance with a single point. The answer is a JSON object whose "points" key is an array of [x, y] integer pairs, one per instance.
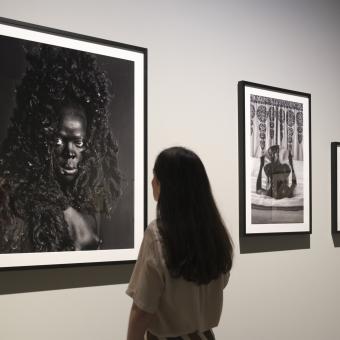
{"points": [[196, 242]]}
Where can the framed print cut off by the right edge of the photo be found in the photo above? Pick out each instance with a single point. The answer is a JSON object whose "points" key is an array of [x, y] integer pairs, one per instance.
{"points": [[335, 168]]}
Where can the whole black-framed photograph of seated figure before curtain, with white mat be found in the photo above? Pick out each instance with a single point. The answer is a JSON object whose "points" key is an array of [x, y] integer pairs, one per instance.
{"points": [[274, 160]]}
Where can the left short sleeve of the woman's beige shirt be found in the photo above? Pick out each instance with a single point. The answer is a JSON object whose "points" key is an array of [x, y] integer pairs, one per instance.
{"points": [[147, 282]]}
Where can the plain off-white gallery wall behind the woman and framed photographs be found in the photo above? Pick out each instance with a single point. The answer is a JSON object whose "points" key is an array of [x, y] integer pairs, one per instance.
{"points": [[281, 287]]}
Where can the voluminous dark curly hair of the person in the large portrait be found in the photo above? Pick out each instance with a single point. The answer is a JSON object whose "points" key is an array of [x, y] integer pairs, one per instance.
{"points": [[54, 77]]}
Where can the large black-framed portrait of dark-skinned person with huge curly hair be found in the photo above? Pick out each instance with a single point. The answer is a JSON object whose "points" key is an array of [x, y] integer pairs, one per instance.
{"points": [[72, 148]]}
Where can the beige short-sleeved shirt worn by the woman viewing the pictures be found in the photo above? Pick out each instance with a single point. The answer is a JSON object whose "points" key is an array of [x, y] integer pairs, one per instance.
{"points": [[179, 306]]}
